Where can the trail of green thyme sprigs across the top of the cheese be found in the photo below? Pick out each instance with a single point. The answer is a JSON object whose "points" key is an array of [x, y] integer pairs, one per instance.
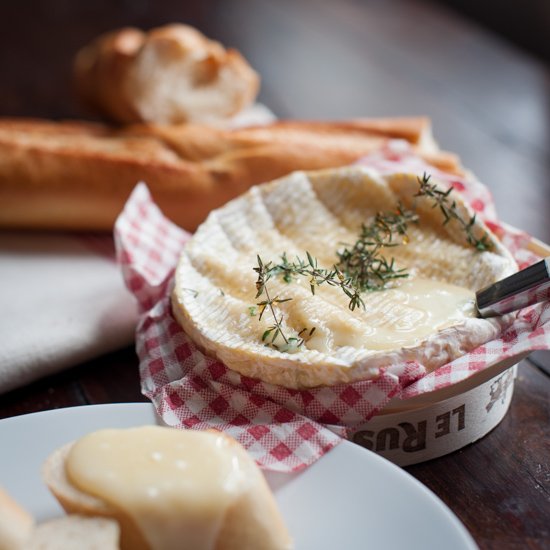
{"points": [[361, 267]]}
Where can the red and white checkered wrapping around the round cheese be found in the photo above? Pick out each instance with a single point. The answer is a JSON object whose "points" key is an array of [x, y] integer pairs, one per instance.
{"points": [[284, 430]]}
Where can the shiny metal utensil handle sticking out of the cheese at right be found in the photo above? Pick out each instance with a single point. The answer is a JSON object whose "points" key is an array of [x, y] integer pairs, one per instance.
{"points": [[525, 288]]}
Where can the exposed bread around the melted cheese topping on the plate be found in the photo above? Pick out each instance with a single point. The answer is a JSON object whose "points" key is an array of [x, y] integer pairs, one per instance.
{"points": [[252, 520]]}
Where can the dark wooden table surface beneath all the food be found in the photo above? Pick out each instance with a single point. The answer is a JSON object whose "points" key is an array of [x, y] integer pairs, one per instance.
{"points": [[325, 60]]}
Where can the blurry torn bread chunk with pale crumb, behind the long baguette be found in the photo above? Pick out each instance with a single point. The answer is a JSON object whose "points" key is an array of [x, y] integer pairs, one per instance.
{"points": [[171, 74]]}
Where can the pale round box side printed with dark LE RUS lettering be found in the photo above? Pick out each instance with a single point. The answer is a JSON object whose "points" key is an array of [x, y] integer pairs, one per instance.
{"points": [[409, 437]]}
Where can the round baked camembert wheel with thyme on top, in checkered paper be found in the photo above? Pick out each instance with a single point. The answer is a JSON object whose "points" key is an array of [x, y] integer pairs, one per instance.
{"points": [[307, 334]]}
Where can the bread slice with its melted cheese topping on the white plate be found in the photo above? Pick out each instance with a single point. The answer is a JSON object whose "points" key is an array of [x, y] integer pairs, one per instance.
{"points": [[169, 489]]}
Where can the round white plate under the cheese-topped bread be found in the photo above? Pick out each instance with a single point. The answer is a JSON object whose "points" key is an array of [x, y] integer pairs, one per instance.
{"points": [[351, 498]]}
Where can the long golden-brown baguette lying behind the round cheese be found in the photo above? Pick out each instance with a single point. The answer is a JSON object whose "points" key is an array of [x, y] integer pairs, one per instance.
{"points": [[78, 175]]}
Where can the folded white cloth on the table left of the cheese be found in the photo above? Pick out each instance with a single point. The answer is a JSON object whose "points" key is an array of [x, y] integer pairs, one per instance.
{"points": [[62, 302]]}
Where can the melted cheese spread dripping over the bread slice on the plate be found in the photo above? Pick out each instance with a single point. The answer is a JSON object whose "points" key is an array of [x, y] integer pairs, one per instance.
{"points": [[176, 485]]}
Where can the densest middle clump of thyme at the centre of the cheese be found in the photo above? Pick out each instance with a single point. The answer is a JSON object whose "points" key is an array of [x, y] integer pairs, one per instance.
{"points": [[364, 264]]}
